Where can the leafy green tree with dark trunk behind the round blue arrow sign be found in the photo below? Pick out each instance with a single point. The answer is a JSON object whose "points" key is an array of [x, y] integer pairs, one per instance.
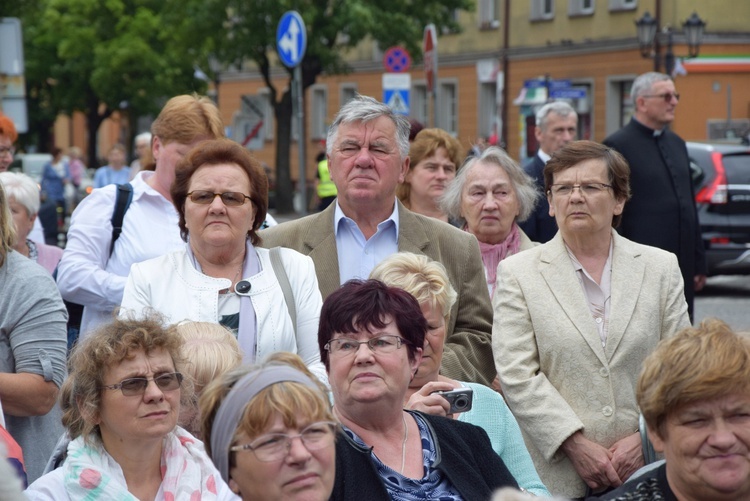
{"points": [[333, 26]]}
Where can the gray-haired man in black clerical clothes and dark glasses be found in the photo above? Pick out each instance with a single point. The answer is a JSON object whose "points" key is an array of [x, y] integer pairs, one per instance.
{"points": [[662, 211]]}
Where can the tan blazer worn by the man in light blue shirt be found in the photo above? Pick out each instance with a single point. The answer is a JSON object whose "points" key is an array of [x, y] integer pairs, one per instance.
{"points": [[468, 348]]}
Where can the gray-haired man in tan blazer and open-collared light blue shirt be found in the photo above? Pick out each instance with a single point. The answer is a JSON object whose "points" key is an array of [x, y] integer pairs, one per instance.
{"points": [[368, 156]]}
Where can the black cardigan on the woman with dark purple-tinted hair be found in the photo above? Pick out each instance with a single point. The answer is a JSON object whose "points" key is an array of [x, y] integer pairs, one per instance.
{"points": [[464, 455]]}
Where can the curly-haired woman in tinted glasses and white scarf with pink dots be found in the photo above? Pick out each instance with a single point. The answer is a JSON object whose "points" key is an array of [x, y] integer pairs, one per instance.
{"points": [[120, 406]]}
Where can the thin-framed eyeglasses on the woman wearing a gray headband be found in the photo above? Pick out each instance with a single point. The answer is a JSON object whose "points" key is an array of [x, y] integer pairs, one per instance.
{"points": [[275, 446]]}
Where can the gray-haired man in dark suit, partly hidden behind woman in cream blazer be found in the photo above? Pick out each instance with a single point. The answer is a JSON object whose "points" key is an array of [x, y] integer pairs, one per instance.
{"points": [[556, 126]]}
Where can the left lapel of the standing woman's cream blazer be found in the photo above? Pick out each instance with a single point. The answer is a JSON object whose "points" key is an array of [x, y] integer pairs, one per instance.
{"points": [[561, 278]]}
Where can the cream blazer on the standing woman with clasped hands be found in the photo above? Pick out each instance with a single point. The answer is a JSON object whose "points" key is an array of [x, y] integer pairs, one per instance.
{"points": [[556, 376]]}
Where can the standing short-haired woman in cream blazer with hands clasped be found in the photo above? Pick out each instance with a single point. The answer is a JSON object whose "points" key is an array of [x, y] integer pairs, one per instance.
{"points": [[574, 320]]}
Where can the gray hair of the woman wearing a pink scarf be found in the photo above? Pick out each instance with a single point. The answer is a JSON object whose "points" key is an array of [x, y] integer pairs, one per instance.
{"points": [[524, 185]]}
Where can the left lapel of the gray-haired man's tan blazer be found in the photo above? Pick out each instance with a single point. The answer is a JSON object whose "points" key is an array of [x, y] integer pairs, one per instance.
{"points": [[320, 239]]}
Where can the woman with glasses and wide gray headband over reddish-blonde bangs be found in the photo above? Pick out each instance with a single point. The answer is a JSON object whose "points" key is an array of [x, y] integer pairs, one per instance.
{"points": [[270, 431]]}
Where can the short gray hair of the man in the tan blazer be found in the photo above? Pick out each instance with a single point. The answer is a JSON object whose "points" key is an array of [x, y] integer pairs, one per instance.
{"points": [[364, 109]]}
